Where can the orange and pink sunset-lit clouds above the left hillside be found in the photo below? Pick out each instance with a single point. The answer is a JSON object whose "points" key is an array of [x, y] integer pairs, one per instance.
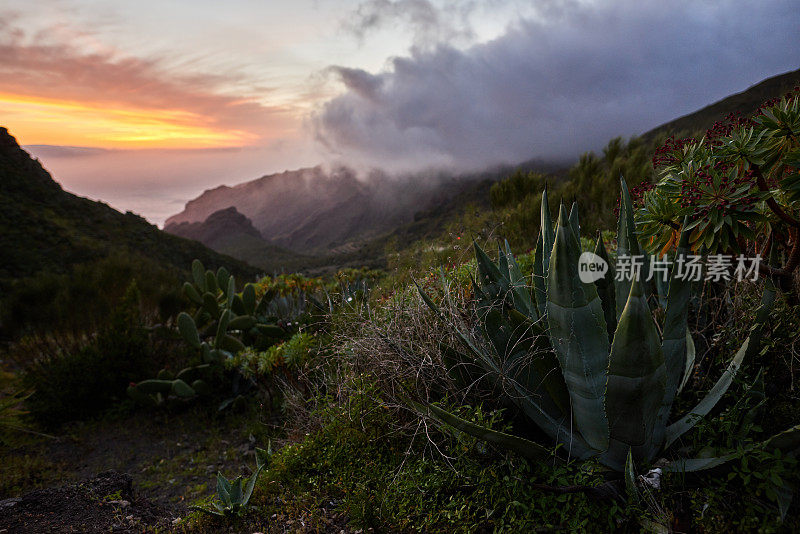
{"points": [[58, 94]]}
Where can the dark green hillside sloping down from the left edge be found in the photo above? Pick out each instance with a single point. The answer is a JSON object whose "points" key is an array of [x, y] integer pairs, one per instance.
{"points": [[45, 228]]}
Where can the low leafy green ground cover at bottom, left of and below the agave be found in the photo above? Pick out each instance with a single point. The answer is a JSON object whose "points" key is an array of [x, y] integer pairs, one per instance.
{"points": [[357, 464]]}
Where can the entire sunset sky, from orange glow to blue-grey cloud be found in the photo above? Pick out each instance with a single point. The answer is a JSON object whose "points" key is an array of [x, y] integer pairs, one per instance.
{"points": [[146, 104]]}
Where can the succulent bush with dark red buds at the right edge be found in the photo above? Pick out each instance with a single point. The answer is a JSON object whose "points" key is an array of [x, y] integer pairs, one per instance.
{"points": [[737, 188]]}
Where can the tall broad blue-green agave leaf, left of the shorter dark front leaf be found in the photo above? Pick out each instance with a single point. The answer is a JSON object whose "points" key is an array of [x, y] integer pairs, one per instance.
{"points": [[578, 334]]}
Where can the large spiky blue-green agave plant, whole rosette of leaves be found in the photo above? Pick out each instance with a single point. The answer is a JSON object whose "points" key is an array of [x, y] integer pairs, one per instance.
{"points": [[585, 362]]}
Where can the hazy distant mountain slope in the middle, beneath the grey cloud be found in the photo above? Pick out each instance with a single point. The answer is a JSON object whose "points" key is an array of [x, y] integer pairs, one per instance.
{"points": [[315, 211]]}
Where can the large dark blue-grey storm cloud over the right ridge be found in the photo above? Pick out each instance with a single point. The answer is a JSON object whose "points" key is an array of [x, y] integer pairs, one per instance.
{"points": [[558, 85]]}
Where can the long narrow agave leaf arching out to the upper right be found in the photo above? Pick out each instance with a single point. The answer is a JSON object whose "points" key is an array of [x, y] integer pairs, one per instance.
{"points": [[748, 348]]}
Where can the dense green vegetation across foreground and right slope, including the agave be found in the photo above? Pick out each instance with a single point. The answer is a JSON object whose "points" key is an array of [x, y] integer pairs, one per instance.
{"points": [[472, 391]]}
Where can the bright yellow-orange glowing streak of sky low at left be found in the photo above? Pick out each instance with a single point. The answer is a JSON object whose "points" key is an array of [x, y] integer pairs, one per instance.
{"points": [[43, 121]]}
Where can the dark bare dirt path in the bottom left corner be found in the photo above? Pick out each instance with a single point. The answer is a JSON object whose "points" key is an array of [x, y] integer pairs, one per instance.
{"points": [[153, 465]]}
